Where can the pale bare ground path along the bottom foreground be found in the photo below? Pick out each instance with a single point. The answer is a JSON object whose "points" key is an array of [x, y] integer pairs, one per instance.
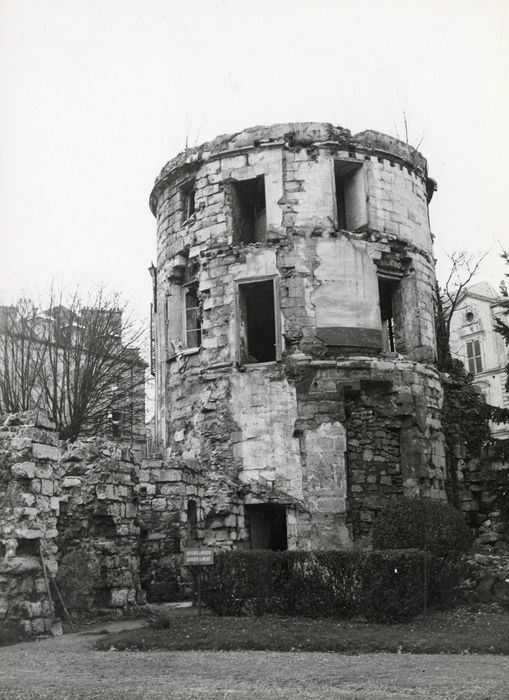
{"points": [[68, 667]]}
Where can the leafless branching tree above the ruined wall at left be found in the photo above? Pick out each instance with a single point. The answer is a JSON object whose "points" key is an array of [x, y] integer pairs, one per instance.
{"points": [[89, 374]]}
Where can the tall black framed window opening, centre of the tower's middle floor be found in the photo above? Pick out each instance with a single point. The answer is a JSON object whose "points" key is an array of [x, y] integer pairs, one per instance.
{"points": [[257, 322]]}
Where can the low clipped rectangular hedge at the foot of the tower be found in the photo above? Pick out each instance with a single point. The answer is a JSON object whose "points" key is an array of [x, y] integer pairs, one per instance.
{"points": [[380, 585]]}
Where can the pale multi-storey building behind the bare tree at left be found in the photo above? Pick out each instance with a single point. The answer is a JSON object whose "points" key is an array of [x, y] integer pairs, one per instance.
{"points": [[79, 364]]}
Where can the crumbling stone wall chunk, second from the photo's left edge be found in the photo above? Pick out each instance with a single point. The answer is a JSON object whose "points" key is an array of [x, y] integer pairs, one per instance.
{"points": [[98, 532]]}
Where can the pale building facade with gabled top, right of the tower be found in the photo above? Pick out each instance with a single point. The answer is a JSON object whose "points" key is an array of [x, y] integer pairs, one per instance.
{"points": [[483, 351]]}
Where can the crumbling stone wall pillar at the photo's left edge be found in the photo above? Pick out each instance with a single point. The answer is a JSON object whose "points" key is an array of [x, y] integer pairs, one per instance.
{"points": [[29, 500]]}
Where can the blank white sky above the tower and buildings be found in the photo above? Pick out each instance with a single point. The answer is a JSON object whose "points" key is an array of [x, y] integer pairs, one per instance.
{"points": [[98, 94]]}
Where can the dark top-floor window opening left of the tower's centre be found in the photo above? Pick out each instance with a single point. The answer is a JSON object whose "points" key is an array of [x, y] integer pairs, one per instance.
{"points": [[249, 210]]}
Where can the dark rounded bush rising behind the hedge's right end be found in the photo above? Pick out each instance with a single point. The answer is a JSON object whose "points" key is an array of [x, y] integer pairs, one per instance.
{"points": [[419, 523]]}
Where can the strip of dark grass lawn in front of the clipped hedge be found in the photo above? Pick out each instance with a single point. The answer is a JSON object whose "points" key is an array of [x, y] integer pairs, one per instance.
{"points": [[459, 631]]}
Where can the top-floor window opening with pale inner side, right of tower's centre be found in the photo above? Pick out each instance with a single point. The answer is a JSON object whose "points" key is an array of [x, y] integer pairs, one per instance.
{"points": [[350, 196]]}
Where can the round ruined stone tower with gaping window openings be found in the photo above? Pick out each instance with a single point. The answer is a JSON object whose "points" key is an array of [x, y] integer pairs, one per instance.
{"points": [[294, 339]]}
